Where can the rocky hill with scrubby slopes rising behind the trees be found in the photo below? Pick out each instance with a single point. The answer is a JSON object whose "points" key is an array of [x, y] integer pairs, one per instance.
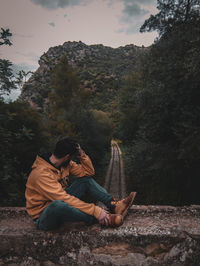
{"points": [[100, 69]]}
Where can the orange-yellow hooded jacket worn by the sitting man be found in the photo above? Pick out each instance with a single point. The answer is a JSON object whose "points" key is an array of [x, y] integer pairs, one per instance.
{"points": [[44, 186]]}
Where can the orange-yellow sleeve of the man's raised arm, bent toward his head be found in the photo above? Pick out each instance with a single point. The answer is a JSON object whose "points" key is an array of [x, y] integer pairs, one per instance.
{"points": [[85, 168]]}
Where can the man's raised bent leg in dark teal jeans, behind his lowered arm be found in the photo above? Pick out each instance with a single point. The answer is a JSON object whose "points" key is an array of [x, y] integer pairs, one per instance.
{"points": [[87, 185]]}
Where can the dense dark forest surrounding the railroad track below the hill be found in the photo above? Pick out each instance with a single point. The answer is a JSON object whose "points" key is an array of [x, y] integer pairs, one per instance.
{"points": [[154, 112]]}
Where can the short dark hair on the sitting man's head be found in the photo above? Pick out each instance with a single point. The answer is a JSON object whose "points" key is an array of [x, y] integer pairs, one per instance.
{"points": [[64, 146]]}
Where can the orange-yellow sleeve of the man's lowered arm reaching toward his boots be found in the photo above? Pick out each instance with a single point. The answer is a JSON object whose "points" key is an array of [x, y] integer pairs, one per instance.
{"points": [[52, 190]]}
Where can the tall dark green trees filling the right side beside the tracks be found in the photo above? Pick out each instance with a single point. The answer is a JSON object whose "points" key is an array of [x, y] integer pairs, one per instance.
{"points": [[162, 115]]}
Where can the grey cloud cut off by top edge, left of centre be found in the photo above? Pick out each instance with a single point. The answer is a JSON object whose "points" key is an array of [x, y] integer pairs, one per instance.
{"points": [[55, 4]]}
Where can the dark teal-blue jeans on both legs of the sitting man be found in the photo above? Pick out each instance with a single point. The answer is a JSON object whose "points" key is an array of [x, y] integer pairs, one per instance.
{"points": [[58, 212]]}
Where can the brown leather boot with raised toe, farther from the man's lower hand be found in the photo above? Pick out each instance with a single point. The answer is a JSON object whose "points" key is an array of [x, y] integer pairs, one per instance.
{"points": [[122, 206]]}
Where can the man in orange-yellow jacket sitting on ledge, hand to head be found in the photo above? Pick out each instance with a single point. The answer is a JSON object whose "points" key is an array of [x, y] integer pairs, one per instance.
{"points": [[50, 201]]}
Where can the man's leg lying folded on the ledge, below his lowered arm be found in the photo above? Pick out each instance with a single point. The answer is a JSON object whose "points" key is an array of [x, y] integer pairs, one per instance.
{"points": [[59, 212]]}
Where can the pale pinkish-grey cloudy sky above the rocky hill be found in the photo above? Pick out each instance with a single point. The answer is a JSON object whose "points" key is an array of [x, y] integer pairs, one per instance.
{"points": [[37, 25]]}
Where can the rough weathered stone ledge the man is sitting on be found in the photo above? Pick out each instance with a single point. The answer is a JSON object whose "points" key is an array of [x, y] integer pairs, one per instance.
{"points": [[150, 235]]}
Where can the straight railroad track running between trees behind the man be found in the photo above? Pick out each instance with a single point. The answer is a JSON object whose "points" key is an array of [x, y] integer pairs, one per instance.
{"points": [[115, 178]]}
